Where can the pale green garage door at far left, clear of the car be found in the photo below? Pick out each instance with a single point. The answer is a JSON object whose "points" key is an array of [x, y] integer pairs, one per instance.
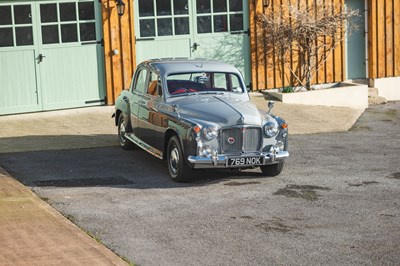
{"points": [[50, 55]]}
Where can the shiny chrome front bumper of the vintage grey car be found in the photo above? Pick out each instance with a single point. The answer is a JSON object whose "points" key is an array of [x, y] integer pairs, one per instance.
{"points": [[220, 161]]}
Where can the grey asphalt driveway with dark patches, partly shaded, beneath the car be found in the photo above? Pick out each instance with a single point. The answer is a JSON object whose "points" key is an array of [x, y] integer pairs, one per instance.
{"points": [[337, 202]]}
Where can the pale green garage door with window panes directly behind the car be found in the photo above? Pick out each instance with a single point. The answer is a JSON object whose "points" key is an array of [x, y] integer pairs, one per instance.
{"points": [[213, 29]]}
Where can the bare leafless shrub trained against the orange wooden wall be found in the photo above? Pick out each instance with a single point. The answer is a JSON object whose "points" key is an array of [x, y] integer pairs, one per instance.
{"points": [[310, 32]]}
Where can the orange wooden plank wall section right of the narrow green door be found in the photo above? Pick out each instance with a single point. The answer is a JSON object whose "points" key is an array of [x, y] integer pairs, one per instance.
{"points": [[383, 38]]}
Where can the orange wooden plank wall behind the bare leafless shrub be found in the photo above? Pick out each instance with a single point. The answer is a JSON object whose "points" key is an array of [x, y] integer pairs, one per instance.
{"points": [[267, 71]]}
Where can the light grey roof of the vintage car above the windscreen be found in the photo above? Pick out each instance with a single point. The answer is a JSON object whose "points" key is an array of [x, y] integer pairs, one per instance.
{"points": [[167, 66]]}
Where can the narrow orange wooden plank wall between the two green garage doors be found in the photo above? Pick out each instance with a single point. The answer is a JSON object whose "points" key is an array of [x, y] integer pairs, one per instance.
{"points": [[118, 33]]}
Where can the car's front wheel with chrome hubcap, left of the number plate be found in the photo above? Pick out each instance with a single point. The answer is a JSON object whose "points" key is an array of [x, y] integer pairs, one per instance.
{"points": [[177, 167]]}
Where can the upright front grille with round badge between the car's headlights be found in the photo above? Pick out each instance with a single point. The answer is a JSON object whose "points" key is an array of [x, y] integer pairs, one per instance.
{"points": [[240, 139]]}
